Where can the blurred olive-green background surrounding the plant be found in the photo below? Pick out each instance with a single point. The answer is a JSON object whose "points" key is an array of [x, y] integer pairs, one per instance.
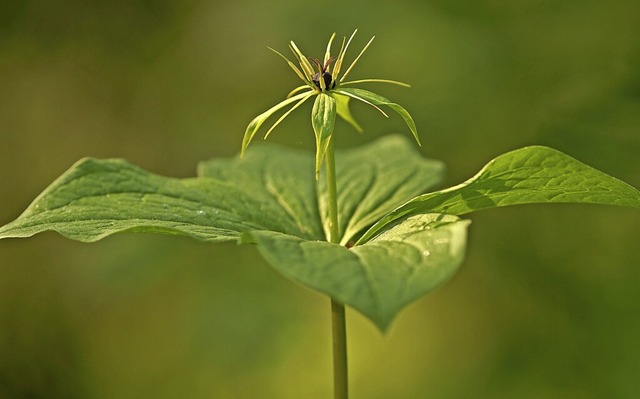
{"points": [[546, 305]]}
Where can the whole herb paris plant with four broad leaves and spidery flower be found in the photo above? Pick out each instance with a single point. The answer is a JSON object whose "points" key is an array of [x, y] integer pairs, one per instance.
{"points": [[364, 232]]}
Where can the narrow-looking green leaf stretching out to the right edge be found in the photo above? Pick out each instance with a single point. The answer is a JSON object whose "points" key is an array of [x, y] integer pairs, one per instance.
{"points": [[529, 175]]}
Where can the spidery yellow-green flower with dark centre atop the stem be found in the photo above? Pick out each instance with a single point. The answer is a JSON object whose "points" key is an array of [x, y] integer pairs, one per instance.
{"points": [[322, 79]]}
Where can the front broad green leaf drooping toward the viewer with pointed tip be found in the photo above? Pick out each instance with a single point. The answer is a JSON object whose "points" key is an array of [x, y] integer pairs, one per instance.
{"points": [[380, 277]]}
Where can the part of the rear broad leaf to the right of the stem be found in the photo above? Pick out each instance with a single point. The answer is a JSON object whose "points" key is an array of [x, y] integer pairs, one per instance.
{"points": [[376, 178]]}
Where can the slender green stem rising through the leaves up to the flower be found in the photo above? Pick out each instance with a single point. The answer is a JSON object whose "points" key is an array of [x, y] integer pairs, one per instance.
{"points": [[338, 320]]}
